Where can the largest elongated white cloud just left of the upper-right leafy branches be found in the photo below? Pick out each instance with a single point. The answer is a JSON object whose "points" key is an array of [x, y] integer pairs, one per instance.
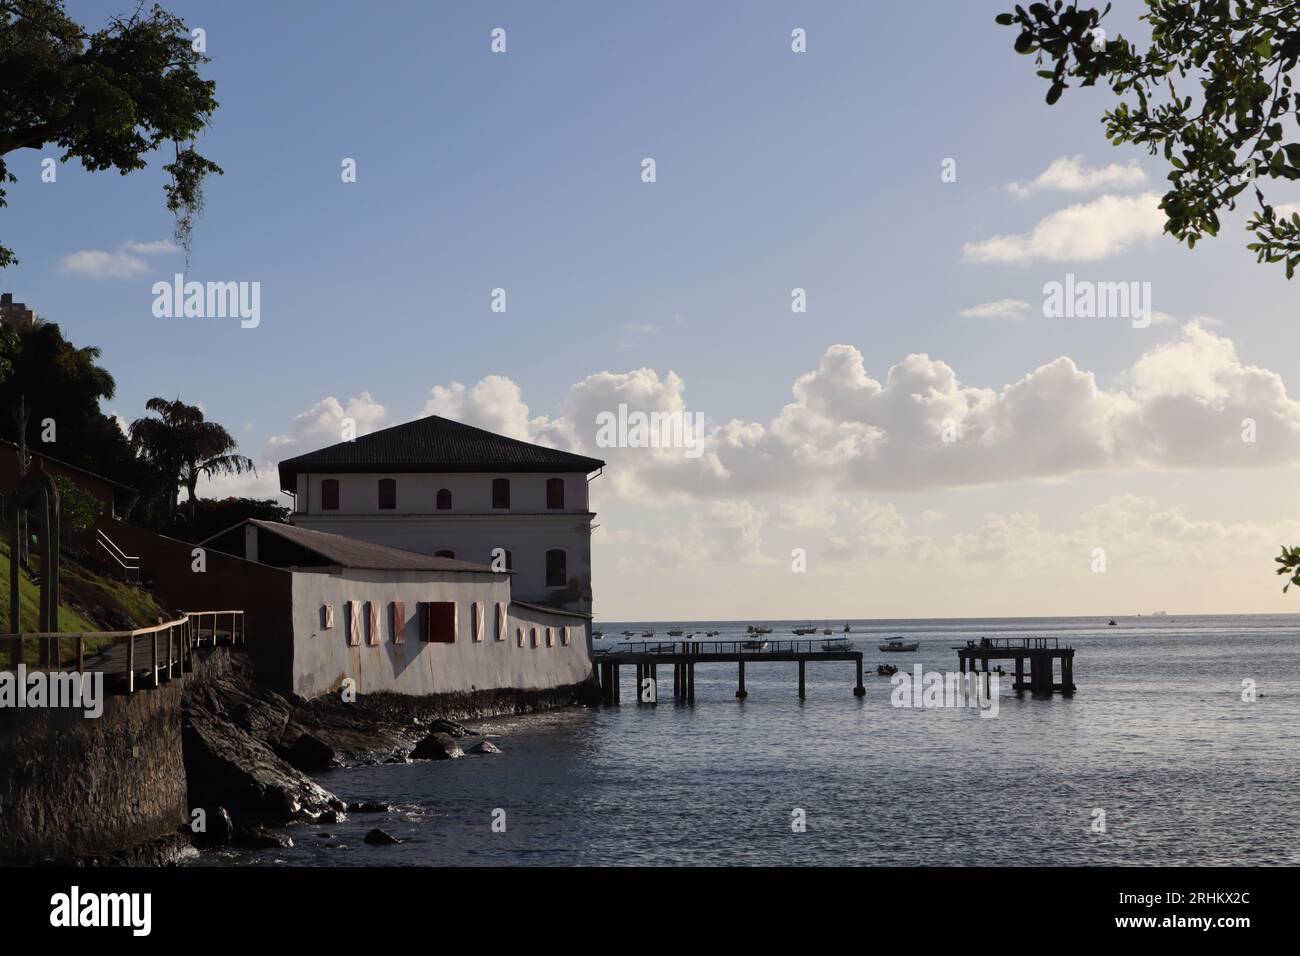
{"points": [[1085, 232]]}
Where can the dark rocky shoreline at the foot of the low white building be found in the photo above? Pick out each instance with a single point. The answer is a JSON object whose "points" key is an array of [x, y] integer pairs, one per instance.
{"points": [[249, 751]]}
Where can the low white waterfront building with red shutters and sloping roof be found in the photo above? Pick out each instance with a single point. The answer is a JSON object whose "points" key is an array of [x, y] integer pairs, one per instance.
{"points": [[395, 621]]}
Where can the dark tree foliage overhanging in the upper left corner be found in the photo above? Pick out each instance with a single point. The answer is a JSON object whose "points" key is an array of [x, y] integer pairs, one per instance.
{"points": [[109, 100]]}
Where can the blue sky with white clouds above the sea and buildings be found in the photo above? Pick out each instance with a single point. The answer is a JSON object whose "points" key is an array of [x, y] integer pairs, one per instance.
{"points": [[904, 172]]}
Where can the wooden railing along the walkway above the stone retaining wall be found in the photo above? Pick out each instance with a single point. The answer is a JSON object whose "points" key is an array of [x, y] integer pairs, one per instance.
{"points": [[183, 635]]}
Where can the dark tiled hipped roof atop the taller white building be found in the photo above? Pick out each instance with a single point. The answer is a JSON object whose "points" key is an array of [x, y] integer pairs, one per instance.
{"points": [[435, 444]]}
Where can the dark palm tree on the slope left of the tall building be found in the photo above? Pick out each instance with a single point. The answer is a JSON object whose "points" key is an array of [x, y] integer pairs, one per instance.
{"points": [[183, 447]]}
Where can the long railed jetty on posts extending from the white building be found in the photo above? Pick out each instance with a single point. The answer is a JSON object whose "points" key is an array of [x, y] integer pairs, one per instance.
{"points": [[683, 657]]}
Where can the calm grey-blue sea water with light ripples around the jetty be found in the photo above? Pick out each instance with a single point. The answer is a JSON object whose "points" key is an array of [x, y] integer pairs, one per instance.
{"points": [[1158, 737]]}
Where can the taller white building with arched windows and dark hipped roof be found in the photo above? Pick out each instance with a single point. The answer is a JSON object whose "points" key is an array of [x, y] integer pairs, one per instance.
{"points": [[452, 491]]}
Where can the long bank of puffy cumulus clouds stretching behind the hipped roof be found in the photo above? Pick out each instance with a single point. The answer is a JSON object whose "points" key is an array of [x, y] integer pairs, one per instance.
{"points": [[1180, 405]]}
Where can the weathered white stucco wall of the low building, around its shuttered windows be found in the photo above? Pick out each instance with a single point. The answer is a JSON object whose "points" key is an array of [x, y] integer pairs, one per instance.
{"points": [[323, 657]]}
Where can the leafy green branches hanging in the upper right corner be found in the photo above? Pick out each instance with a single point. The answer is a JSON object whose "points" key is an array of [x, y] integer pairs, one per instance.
{"points": [[1212, 93]]}
